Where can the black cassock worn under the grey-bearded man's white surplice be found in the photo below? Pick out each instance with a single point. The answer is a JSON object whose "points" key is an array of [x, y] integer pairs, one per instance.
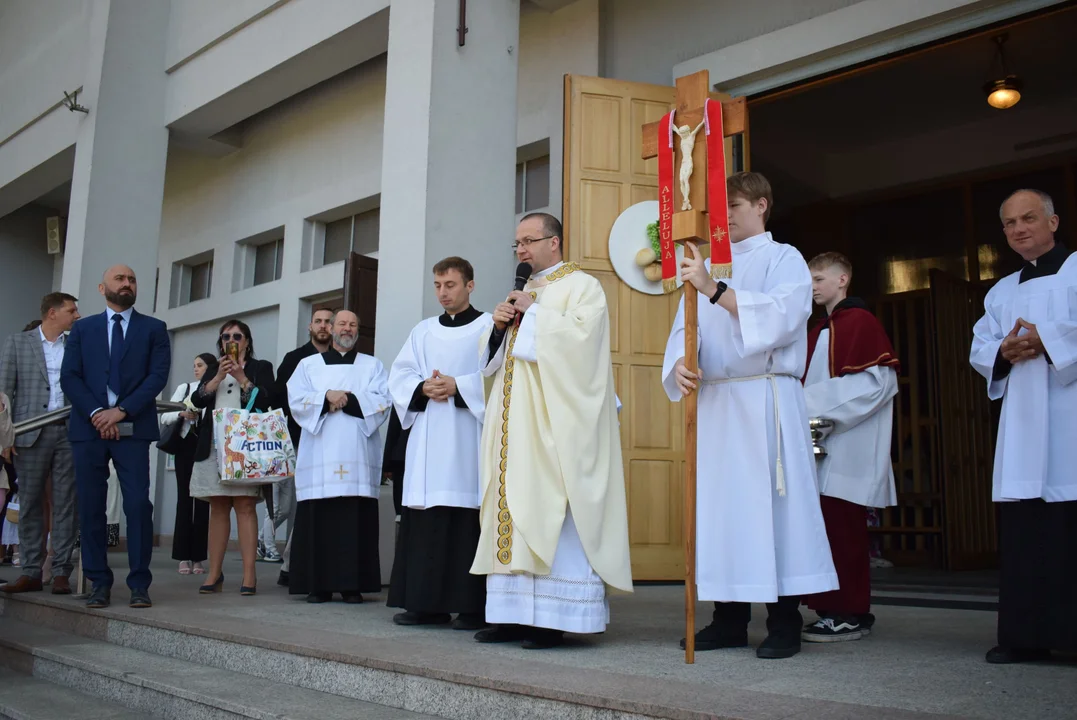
{"points": [[335, 541]]}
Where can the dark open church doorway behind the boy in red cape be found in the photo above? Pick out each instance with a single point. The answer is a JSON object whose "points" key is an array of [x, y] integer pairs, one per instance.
{"points": [[902, 165]]}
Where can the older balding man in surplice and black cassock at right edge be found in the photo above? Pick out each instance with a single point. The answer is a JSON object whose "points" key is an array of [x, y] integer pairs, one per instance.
{"points": [[1026, 347]]}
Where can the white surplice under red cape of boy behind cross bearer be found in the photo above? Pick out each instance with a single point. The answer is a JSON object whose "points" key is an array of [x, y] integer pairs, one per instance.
{"points": [[857, 467]]}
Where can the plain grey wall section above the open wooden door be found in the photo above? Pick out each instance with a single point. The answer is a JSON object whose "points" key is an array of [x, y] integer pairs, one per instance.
{"points": [[642, 40]]}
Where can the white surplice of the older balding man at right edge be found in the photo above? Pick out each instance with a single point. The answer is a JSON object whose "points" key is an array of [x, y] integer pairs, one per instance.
{"points": [[1037, 451]]}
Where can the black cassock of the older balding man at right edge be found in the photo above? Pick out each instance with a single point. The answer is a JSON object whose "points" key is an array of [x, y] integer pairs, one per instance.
{"points": [[1038, 548]]}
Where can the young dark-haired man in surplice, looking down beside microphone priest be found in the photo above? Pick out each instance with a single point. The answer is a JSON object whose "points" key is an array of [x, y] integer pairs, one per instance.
{"points": [[437, 385]]}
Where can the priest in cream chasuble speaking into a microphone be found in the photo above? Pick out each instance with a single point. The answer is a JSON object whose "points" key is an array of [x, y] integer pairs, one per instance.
{"points": [[554, 516]]}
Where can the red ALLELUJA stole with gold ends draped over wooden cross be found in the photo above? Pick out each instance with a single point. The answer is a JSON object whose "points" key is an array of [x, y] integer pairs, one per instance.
{"points": [[722, 260]]}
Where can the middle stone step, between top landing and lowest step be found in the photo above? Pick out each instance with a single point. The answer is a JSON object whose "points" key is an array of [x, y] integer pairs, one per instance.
{"points": [[156, 686]]}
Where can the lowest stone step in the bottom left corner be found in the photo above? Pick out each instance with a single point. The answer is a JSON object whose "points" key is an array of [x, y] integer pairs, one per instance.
{"points": [[24, 698]]}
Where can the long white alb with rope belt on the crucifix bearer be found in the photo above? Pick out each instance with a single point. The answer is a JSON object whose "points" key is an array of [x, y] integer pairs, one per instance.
{"points": [[754, 544]]}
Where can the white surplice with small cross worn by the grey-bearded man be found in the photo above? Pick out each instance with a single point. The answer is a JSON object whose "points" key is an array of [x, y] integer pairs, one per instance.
{"points": [[341, 455]]}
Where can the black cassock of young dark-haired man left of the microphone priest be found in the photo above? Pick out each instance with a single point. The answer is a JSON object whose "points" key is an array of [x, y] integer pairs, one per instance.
{"points": [[436, 547]]}
